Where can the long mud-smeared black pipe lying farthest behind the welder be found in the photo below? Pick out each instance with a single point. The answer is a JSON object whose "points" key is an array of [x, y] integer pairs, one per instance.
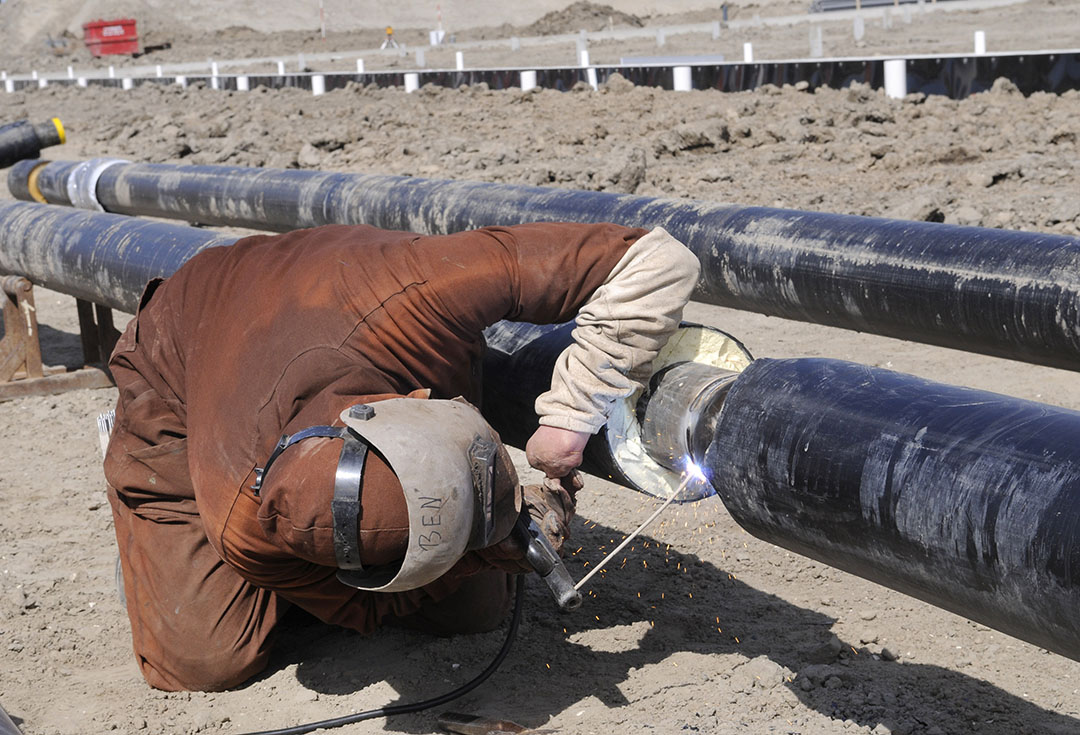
{"points": [[1002, 293]]}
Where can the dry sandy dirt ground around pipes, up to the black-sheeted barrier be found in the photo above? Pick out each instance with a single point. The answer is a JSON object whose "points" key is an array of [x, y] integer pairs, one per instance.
{"points": [[705, 630]]}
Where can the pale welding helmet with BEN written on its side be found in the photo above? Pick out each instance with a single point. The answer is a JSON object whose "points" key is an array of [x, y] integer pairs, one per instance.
{"points": [[461, 488]]}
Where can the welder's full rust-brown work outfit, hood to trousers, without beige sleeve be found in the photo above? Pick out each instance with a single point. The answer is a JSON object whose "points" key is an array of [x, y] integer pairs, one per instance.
{"points": [[268, 337]]}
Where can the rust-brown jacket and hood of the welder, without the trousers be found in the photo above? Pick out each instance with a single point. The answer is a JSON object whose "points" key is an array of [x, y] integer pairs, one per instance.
{"points": [[277, 334]]}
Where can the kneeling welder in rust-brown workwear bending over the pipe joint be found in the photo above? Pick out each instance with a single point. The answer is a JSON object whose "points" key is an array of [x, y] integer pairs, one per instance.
{"points": [[294, 428]]}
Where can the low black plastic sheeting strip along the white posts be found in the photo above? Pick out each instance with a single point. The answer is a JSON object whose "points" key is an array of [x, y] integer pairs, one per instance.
{"points": [[955, 76]]}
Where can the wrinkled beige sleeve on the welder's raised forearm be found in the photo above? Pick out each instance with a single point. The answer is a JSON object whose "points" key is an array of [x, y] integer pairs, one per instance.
{"points": [[619, 332]]}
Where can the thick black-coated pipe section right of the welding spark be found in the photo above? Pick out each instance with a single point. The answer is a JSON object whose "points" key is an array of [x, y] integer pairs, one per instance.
{"points": [[965, 499]]}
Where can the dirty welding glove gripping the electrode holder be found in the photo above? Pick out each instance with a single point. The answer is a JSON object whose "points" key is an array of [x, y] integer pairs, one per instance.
{"points": [[551, 506]]}
